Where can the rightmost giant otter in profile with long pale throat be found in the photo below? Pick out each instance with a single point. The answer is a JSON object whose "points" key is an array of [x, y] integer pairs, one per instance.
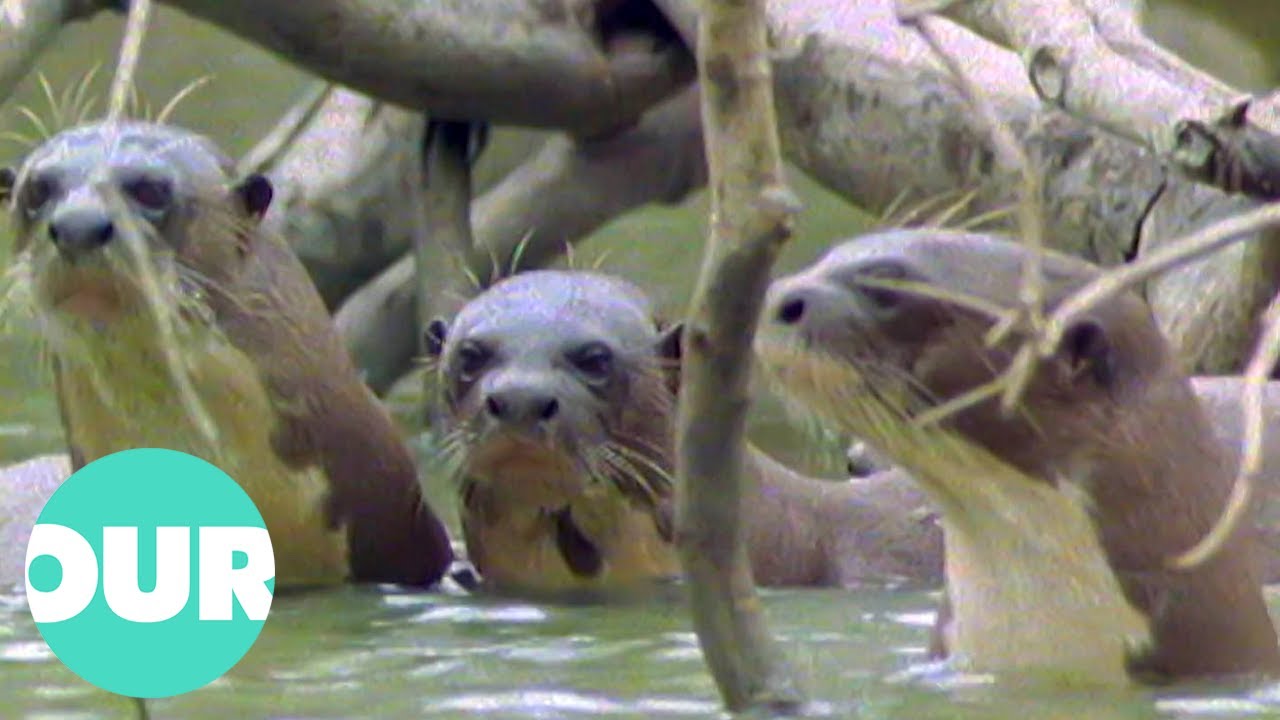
{"points": [[1060, 520]]}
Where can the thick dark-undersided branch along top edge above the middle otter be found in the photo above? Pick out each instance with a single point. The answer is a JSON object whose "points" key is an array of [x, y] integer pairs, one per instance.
{"points": [[563, 65]]}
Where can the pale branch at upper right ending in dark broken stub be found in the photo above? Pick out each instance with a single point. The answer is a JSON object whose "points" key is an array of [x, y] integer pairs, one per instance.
{"points": [[1200, 126]]}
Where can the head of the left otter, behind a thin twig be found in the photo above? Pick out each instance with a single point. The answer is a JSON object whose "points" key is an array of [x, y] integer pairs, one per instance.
{"points": [[100, 208]]}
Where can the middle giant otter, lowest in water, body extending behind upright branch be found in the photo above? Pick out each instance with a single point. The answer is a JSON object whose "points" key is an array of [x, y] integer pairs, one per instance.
{"points": [[560, 393]]}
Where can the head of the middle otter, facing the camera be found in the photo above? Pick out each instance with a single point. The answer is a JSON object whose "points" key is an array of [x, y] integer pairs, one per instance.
{"points": [[555, 381]]}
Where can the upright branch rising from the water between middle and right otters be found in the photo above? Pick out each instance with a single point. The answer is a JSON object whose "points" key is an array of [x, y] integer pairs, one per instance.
{"points": [[752, 215]]}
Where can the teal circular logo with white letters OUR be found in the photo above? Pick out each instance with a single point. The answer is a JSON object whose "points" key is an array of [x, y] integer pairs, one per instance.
{"points": [[150, 573]]}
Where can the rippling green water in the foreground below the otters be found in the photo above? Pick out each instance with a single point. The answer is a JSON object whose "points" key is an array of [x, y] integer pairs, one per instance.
{"points": [[363, 653]]}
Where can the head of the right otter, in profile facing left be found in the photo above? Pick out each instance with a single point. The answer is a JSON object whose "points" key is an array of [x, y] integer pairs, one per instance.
{"points": [[867, 356]]}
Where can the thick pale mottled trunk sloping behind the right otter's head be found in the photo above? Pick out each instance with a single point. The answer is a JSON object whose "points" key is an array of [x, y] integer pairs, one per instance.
{"points": [[867, 110]]}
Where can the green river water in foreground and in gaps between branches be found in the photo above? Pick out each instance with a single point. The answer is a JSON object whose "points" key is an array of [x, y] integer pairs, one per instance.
{"points": [[364, 654]]}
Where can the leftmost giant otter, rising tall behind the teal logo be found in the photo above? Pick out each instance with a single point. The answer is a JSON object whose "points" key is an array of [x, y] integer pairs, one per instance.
{"points": [[173, 320]]}
